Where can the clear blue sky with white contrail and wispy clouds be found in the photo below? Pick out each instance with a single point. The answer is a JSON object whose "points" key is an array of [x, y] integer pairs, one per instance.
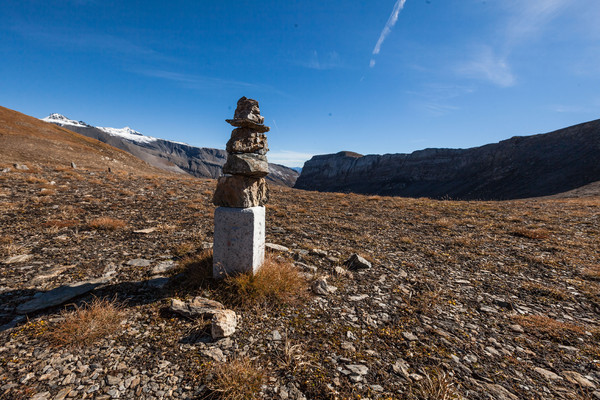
{"points": [[376, 76]]}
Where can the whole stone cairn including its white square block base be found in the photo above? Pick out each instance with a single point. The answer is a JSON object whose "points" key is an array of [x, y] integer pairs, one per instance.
{"points": [[239, 238]]}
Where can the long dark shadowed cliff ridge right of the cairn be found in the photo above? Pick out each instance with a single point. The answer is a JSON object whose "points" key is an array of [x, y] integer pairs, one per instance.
{"points": [[519, 167]]}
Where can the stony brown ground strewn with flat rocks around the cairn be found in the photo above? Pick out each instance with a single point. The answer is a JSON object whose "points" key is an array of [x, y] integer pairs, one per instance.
{"points": [[474, 300]]}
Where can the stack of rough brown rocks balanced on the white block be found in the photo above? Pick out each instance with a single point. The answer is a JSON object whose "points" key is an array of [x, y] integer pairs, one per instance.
{"points": [[244, 184]]}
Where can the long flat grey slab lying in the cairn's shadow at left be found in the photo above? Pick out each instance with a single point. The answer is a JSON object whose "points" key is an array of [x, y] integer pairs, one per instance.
{"points": [[60, 295]]}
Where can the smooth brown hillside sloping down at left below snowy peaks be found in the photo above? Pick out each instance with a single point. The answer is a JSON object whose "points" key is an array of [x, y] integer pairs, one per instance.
{"points": [[27, 140]]}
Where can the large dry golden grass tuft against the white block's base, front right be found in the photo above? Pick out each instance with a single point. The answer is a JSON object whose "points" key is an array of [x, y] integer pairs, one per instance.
{"points": [[277, 282]]}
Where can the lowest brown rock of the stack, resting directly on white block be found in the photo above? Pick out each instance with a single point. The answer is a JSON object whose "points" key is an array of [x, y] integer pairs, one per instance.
{"points": [[239, 191]]}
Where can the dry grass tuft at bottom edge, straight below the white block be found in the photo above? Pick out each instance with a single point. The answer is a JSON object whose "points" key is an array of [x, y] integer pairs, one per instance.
{"points": [[239, 379]]}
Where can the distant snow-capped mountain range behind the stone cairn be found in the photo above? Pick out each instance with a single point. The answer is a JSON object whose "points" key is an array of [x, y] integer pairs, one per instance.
{"points": [[165, 154]]}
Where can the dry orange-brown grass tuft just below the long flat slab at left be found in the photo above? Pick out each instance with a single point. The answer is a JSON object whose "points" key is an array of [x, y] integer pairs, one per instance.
{"points": [[87, 324]]}
